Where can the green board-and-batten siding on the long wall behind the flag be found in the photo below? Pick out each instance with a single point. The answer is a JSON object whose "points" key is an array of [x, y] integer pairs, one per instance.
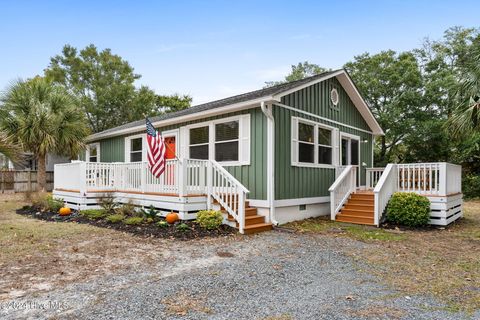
{"points": [[252, 176]]}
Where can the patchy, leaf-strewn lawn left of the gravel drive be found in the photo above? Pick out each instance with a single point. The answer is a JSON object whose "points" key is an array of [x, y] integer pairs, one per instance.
{"points": [[36, 255]]}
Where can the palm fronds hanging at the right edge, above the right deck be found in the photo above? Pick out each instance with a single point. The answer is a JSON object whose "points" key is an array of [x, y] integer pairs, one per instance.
{"points": [[466, 117]]}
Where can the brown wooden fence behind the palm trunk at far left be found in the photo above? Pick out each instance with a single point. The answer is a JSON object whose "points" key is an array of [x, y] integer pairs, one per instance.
{"points": [[21, 181]]}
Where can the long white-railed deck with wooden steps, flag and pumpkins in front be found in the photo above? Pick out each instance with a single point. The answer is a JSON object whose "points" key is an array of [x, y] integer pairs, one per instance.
{"points": [[186, 187]]}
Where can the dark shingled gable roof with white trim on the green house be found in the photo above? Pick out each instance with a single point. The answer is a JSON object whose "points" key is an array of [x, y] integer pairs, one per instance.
{"points": [[245, 100]]}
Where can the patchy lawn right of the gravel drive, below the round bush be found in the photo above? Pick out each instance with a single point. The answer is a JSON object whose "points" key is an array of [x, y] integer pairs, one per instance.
{"points": [[444, 262]]}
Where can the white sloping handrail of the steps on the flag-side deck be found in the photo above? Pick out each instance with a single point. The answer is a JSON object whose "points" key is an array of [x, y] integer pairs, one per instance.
{"points": [[230, 193]]}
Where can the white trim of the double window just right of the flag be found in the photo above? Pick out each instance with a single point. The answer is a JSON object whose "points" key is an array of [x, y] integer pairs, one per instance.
{"points": [[243, 138]]}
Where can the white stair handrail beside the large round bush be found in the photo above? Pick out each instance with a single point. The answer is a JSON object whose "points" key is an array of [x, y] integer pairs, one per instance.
{"points": [[385, 188]]}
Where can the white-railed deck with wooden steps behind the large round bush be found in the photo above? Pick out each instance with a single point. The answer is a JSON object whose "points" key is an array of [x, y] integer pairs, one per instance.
{"points": [[440, 182]]}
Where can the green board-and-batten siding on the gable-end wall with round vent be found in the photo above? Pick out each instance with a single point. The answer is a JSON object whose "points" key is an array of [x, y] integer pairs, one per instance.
{"points": [[293, 182]]}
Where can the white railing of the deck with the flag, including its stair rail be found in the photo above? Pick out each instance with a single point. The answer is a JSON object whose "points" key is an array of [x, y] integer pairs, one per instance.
{"points": [[181, 177]]}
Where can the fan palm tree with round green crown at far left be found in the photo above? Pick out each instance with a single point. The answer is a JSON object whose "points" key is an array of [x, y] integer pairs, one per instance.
{"points": [[43, 118]]}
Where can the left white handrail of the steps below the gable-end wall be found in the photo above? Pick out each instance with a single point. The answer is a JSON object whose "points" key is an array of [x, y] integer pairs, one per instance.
{"points": [[341, 189]]}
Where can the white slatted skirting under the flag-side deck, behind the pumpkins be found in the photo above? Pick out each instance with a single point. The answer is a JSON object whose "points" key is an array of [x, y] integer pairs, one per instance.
{"points": [[187, 207]]}
